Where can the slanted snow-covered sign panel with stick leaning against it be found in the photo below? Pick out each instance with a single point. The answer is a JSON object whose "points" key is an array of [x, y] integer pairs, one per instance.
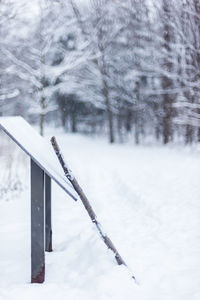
{"points": [[37, 148]]}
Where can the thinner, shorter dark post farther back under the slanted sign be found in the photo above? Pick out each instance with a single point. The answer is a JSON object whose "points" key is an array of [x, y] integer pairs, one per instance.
{"points": [[48, 228]]}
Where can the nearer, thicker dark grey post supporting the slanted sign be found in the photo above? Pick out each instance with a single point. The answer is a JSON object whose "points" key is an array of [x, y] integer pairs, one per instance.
{"points": [[37, 224]]}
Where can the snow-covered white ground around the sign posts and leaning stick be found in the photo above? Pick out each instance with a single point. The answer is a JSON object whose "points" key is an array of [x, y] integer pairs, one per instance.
{"points": [[148, 200]]}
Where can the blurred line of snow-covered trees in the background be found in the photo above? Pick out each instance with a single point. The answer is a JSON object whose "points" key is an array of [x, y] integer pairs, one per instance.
{"points": [[130, 69]]}
